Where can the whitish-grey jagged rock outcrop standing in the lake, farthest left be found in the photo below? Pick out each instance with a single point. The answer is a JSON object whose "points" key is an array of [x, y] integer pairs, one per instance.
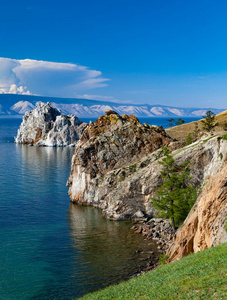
{"points": [[47, 126]]}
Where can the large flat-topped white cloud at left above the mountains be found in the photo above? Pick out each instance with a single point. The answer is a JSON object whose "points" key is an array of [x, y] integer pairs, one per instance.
{"points": [[47, 78]]}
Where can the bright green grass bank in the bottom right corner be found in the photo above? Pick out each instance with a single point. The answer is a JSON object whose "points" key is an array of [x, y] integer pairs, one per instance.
{"points": [[198, 276]]}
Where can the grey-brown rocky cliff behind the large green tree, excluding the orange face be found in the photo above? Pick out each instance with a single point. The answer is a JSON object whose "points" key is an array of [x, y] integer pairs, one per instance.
{"points": [[115, 165]]}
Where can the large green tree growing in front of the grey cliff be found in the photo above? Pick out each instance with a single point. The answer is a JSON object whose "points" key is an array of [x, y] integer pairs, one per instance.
{"points": [[176, 196]]}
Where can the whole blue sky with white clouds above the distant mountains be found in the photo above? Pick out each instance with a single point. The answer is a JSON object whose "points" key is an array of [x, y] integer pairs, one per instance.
{"points": [[156, 52]]}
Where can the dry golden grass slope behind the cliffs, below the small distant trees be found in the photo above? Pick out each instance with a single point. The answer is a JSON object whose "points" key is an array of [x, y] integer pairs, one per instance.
{"points": [[181, 132]]}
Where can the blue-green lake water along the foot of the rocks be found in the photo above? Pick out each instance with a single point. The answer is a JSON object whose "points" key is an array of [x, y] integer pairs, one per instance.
{"points": [[50, 248]]}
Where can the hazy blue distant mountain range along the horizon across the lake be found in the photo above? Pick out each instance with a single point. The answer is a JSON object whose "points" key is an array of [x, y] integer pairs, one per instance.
{"points": [[16, 105]]}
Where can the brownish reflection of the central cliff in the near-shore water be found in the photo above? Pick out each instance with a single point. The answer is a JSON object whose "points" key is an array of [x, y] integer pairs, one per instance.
{"points": [[109, 247]]}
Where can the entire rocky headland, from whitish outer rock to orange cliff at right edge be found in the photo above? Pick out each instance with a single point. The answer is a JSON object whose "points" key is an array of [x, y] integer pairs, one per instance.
{"points": [[116, 168]]}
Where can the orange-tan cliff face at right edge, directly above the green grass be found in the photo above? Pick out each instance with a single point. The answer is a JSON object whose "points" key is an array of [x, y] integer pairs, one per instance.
{"points": [[205, 224]]}
